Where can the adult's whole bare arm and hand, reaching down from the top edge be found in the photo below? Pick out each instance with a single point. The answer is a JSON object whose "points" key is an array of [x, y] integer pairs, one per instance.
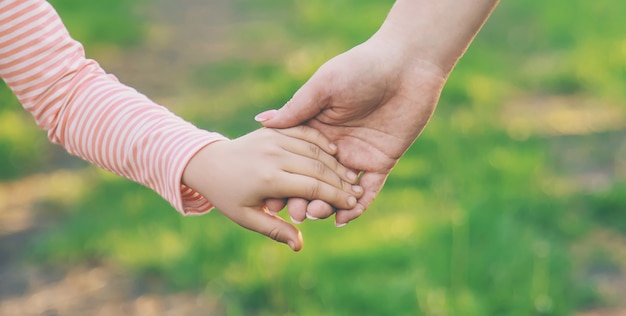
{"points": [[374, 100]]}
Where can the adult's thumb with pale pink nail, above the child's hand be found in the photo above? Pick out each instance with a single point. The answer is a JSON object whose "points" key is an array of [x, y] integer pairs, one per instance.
{"points": [[305, 104]]}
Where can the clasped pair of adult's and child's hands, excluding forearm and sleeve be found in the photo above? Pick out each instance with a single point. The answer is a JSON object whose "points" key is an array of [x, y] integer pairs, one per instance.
{"points": [[372, 102]]}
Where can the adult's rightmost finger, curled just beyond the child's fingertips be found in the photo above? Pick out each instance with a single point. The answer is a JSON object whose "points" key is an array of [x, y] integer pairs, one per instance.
{"points": [[371, 183]]}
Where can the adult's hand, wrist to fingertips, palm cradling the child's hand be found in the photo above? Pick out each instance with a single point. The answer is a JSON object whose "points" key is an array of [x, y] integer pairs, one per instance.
{"points": [[372, 102]]}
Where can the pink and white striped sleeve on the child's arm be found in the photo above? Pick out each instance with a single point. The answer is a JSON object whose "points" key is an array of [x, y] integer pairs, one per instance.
{"points": [[90, 113]]}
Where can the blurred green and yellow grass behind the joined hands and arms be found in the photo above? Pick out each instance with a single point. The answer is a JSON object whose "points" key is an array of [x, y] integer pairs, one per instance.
{"points": [[471, 221]]}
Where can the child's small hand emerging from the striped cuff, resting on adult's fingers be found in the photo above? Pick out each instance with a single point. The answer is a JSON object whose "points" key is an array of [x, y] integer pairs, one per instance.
{"points": [[239, 175]]}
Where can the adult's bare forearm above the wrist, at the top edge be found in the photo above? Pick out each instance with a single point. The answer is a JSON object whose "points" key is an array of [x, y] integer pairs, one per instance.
{"points": [[437, 32]]}
